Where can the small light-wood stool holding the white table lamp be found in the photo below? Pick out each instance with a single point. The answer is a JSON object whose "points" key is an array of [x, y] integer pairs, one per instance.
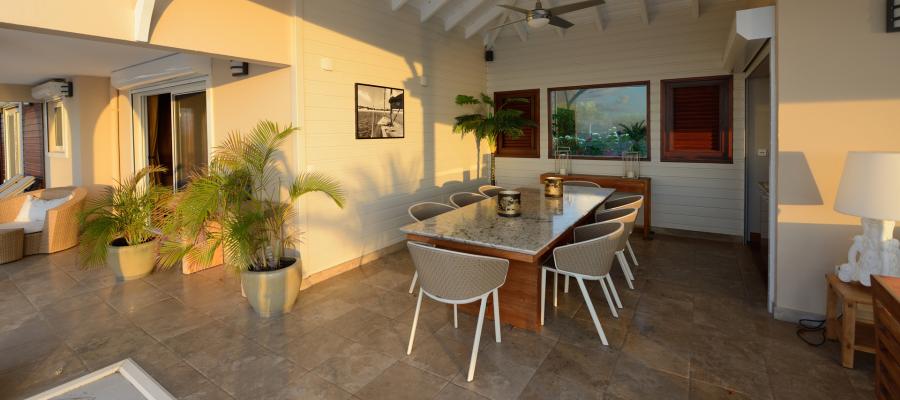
{"points": [[857, 323]]}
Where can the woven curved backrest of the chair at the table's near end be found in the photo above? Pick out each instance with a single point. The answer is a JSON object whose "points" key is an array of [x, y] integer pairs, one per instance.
{"points": [[456, 276]]}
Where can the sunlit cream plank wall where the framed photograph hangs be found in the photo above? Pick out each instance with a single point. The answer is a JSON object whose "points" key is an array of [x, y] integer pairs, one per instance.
{"points": [[371, 44]]}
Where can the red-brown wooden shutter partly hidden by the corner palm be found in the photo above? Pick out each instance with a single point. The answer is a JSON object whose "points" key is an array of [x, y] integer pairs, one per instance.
{"points": [[527, 145]]}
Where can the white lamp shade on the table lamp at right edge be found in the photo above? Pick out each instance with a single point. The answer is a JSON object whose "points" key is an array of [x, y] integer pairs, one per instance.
{"points": [[870, 186]]}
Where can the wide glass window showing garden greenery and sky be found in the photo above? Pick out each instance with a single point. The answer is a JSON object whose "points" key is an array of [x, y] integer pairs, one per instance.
{"points": [[600, 121]]}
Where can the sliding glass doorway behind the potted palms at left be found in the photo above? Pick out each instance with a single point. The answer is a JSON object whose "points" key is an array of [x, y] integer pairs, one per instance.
{"points": [[172, 131]]}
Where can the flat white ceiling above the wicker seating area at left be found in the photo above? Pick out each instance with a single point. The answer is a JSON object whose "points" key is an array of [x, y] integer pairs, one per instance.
{"points": [[29, 58]]}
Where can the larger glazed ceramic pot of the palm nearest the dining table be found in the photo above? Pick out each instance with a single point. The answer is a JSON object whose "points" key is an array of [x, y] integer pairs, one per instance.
{"points": [[272, 293]]}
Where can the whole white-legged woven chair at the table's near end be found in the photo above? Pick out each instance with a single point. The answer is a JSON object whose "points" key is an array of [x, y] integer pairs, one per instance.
{"points": [[452, 277]]}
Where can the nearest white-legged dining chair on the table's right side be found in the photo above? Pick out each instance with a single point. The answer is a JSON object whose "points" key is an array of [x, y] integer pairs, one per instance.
{"points": [[588, 259]]}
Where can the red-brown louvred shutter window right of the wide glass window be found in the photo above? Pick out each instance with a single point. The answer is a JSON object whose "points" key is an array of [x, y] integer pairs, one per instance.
{"points": [[696, 119]]}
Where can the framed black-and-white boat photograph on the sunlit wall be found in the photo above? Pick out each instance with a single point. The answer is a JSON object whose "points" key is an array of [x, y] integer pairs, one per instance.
{"points": [[379, 112]]}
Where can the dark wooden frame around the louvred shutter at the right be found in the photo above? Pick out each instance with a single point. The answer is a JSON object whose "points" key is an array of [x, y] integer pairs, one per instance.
{"points": [[723, 155]]}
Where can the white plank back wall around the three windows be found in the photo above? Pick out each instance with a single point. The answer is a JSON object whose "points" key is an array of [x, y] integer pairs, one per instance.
{"points": [[691, 196]]}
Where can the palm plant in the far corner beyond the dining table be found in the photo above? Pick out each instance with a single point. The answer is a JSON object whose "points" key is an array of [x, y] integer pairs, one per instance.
{"points": [[489, 121]]}
